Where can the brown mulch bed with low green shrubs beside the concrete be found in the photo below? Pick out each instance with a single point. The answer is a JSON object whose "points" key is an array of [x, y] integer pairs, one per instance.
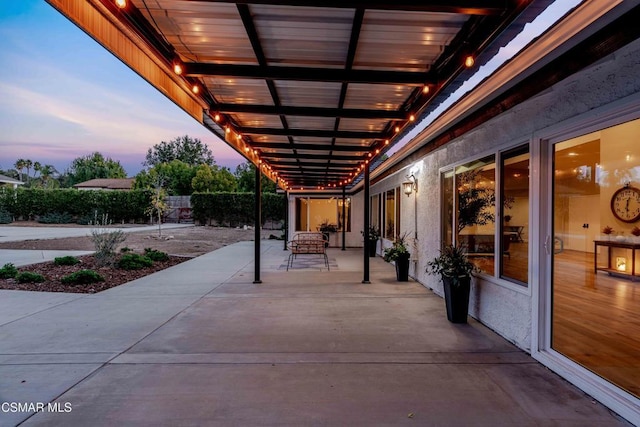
{"points": [[112, 275]]}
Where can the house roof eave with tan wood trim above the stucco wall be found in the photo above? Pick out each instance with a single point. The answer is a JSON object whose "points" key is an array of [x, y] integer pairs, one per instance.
{"points": [[588, 33]]}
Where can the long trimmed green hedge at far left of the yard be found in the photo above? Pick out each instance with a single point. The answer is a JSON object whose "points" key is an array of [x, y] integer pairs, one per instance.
{"points": [[31, 202]]}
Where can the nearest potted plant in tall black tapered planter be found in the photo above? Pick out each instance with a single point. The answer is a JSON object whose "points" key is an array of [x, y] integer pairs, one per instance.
{"points": [[456, 270]]}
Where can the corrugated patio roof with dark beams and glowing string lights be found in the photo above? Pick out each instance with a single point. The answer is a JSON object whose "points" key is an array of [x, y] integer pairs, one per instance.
{"points": [[309, 90]]}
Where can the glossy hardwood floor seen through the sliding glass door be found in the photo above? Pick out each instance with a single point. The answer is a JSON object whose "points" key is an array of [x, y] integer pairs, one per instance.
{"points": [[596, 320]]}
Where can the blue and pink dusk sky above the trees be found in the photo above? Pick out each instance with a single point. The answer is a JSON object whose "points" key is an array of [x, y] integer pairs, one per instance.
{"points": [[63, 96]]}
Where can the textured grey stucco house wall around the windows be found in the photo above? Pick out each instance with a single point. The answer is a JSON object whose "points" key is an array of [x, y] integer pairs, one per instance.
{"points": [[505, 307]]}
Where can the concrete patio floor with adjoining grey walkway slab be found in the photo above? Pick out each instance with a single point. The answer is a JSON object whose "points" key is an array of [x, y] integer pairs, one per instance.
{"points": [[200, 344]]}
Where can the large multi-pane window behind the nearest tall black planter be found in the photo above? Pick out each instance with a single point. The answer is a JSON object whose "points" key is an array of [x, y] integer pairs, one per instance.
{"points": [[494, 235]]}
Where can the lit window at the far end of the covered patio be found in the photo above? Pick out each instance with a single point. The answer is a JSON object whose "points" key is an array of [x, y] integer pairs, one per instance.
{"points": [[312, 213]]}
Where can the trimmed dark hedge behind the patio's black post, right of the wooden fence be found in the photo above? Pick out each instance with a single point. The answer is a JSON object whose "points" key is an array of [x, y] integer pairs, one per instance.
{"points": [[235, 208]]}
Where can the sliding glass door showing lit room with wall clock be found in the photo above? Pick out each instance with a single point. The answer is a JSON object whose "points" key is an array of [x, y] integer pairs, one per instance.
{"points": [[595, 297]]}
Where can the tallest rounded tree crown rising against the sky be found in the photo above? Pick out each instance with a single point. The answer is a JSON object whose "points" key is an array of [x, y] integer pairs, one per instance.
{"points": [[189, 150]]}
